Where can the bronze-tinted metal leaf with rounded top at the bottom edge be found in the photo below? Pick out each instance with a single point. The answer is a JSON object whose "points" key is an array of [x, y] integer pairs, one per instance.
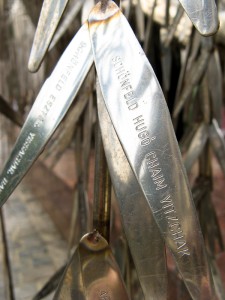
{"points": [[92, 273]]}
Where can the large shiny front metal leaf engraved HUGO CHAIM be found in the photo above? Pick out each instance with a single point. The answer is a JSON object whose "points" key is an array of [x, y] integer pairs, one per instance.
{"points": [[141, 119]]}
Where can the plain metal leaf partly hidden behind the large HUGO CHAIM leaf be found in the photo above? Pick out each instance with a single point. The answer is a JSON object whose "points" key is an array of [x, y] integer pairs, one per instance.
{"points": [[143, 236]]}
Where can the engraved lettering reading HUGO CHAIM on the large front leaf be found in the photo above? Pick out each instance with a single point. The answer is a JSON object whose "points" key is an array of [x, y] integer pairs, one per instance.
{"points": [[152, 161]]}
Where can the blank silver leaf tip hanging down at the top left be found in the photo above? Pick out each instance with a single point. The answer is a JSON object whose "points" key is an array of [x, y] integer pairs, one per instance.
{"points": [[50, 16]]}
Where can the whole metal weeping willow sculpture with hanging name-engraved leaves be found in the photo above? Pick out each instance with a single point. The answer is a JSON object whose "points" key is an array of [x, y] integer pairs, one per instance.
{"points": [[126, 104]]}
